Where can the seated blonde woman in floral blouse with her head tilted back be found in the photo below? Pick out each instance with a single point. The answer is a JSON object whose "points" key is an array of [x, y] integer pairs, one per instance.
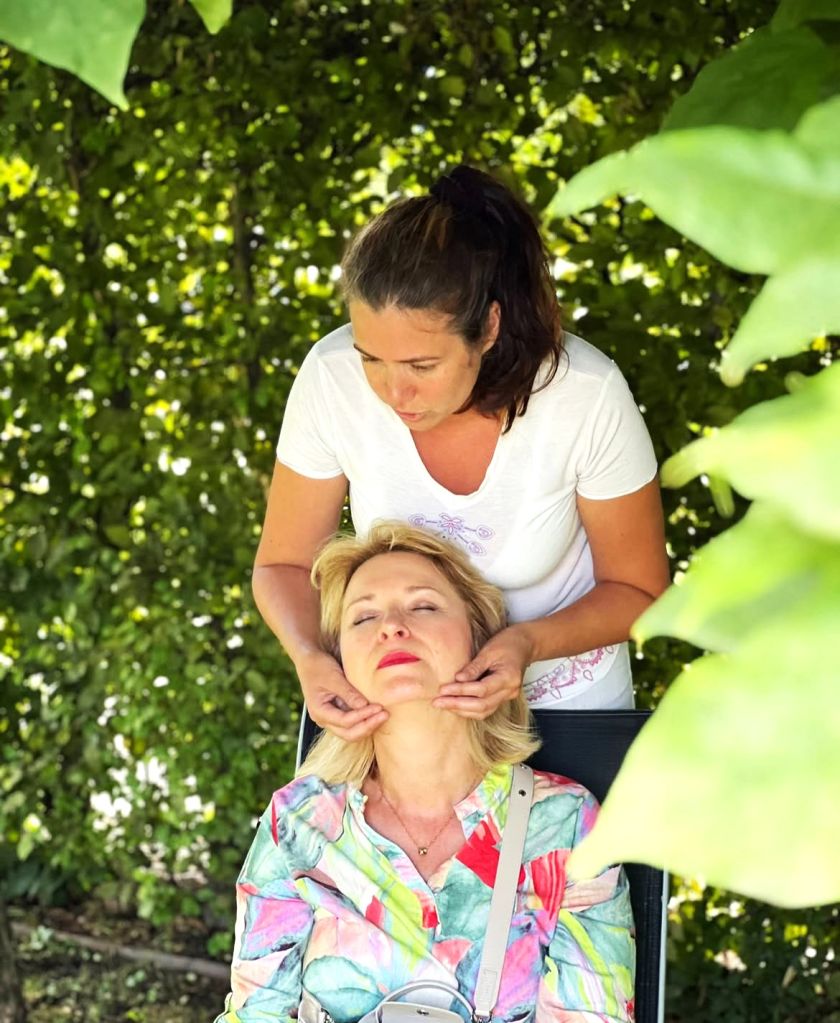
{"points": [[375, 867]]}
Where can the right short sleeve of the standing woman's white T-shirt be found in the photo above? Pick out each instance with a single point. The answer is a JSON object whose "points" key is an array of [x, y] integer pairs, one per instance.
{"points": [[615, 456]]}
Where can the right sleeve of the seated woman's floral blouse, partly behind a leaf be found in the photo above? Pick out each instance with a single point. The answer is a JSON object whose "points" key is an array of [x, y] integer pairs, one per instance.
{"points": [[590, 967]]}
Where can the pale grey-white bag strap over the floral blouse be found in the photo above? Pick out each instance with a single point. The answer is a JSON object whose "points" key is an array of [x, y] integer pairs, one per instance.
{"points": [[505, 894]]}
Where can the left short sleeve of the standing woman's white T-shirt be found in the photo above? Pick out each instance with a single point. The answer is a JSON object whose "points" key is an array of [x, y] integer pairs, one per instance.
{"points": [[307, 438]]}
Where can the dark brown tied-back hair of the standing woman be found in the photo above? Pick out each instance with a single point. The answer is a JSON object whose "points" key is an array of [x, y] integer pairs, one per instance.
{"points": [[466, 245]]}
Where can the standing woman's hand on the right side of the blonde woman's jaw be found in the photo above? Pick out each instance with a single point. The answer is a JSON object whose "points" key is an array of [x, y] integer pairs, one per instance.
{"points": [[493, 677]]}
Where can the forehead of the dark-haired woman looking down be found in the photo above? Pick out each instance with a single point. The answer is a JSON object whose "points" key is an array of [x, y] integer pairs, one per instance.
{"points": [[404, 334]]}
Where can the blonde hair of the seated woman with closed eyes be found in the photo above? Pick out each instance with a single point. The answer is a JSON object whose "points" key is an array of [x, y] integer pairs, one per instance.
{"points": [[506, 737]]}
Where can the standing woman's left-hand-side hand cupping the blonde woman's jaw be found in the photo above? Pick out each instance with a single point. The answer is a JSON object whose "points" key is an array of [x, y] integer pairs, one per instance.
{"points": [[333, 703]]}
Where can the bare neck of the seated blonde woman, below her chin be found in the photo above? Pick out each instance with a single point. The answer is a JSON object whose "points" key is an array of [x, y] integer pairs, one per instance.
{"points": [[423, 760]]}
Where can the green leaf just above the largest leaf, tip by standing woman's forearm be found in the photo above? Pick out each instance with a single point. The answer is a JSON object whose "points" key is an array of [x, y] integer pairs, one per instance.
{"points": [[742, 581]]}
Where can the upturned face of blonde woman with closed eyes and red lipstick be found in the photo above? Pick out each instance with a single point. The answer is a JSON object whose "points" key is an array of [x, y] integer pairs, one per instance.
{"points": [[405, 630]]}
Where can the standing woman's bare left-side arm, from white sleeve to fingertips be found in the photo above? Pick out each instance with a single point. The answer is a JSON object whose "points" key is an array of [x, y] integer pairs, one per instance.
{"points": [[302, 513]]}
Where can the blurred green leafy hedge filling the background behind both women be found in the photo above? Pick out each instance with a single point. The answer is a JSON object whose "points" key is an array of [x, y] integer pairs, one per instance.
{"points": [[163, 272]]}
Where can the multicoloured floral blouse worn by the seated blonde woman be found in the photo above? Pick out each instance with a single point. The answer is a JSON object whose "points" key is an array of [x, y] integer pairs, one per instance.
{"points": [[327, 904]]}
